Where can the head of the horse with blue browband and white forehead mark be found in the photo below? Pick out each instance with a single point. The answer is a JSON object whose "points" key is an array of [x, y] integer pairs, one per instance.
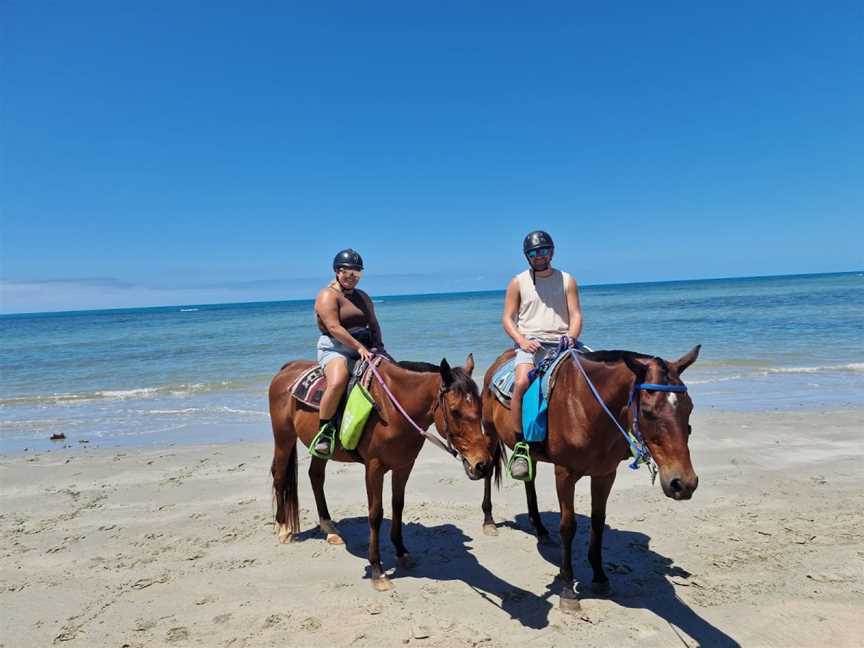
{"points": [[663, 417]]}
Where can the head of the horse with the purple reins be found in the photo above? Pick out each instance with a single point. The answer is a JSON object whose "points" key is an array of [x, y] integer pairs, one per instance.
{"points": [[458, 417]]}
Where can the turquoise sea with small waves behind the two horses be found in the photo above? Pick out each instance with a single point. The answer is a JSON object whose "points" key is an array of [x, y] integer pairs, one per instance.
{"points": [[200, 373]]}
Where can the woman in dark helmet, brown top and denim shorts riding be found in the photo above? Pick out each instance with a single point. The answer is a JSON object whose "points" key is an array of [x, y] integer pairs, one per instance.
{"points": [[349, 328]]}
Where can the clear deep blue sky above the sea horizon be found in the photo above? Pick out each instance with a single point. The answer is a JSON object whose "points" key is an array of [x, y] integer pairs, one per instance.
{"points": [[185, 152]]}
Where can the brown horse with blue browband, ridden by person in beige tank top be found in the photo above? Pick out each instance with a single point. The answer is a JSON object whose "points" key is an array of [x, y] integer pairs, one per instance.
{"points": [[583, 440]]}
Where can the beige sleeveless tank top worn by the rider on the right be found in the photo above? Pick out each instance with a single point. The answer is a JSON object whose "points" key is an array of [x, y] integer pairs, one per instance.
{"points": [[543, 310]]}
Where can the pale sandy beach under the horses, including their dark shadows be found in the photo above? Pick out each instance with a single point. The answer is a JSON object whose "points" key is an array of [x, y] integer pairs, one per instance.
{"points": [[175, 546]]}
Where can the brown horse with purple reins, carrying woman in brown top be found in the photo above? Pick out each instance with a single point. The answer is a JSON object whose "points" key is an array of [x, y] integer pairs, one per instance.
{"points": [[428, 393]]}
